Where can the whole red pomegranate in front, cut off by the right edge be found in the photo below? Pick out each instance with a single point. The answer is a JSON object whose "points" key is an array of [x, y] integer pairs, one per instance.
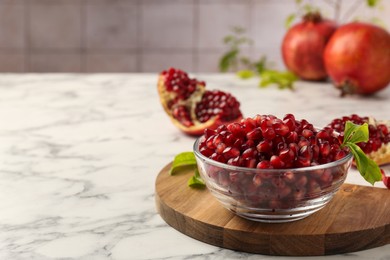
{"points": [[357, 58]]}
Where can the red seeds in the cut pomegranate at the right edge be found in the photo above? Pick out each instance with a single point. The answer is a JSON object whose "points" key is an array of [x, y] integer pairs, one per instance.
{"points": [[379, 134]]}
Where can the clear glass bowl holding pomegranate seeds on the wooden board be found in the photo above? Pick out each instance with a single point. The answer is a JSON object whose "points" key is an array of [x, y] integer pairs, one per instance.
{"points": [[272, 195]]}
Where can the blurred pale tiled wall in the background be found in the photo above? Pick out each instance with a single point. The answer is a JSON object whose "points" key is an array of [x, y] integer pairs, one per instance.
{"points": [[141, 35]]}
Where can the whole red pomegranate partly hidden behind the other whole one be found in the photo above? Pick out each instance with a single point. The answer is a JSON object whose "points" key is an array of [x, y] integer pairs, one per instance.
{"points": [[303, 46]]}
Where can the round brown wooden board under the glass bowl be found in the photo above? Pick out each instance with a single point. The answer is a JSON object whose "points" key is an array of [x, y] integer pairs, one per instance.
{"points": [[357, 218]]}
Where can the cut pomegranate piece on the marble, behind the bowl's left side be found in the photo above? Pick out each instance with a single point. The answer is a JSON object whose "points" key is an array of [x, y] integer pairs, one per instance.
{"points": [[191, 107]]}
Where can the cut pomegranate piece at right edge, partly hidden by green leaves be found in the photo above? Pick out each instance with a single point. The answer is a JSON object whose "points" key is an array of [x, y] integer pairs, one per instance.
{"points": [[378, 145]]}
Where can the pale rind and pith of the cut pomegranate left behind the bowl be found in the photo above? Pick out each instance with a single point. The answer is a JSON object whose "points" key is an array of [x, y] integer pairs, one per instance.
{"points": [[198, 128]]}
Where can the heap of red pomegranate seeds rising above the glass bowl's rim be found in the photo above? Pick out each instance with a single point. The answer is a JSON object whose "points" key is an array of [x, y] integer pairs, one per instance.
{"points": [[267, 142]]}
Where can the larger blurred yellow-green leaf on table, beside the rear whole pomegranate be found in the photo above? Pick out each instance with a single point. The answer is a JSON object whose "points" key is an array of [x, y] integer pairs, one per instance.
{"points": [[283, 79]]}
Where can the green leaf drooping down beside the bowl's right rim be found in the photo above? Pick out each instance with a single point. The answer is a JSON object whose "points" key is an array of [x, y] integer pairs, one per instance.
{"points": [[367, 167]]}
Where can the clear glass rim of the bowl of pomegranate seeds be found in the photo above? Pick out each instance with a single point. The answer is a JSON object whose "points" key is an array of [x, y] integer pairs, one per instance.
{"points": [[256, 170]]}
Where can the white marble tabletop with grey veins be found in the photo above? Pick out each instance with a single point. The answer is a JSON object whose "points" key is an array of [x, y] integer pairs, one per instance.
{"points": [[79, 155]]}
